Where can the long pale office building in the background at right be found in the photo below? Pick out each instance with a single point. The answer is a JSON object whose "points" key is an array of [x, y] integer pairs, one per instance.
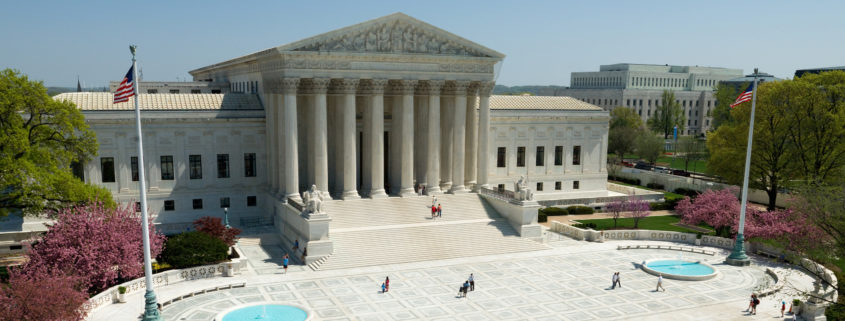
{"points": [[641, 87]]}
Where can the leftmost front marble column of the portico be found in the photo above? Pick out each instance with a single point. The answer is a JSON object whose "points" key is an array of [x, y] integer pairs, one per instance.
{"points": [[291, 159]]}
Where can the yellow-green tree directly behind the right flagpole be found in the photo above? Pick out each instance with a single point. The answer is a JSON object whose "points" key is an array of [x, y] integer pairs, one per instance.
{"points": [[771, 164]]}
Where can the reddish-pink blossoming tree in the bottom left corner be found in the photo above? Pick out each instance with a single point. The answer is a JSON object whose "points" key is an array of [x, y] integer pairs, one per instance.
{"points": [[39, 296]]}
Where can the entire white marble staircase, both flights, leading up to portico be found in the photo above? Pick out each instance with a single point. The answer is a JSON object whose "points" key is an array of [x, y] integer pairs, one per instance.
{"points": [[400, 230]]}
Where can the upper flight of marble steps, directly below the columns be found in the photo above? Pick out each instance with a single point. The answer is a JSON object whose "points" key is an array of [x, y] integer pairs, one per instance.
{"points": [[405, 210]]}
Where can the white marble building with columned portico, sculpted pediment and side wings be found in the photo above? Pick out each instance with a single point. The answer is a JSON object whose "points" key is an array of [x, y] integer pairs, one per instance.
{"points": [[388, 107]]}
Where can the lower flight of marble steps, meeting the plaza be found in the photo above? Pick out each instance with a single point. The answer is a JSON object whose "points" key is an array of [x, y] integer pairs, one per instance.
{"points": [[424, 242]]}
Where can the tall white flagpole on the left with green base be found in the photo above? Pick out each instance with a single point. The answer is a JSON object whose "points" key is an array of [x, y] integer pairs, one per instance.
{"points": [[150, 306]]}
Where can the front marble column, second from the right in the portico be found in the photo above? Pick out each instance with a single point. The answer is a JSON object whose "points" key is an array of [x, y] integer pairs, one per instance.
{"points": [[459, 114]]}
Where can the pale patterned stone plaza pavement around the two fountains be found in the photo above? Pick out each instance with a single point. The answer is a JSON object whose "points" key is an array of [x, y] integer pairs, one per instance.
{"points": [[570, 281]]}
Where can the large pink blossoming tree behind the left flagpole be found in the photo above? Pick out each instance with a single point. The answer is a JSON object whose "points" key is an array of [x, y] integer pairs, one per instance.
{"points": [[99, 245]]}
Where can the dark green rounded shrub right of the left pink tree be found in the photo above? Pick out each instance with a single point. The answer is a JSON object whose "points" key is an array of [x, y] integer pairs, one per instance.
{"points": [[193, 249]]}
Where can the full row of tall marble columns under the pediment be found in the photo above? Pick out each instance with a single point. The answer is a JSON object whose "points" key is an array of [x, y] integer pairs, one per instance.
{"points": [[456, 138]]}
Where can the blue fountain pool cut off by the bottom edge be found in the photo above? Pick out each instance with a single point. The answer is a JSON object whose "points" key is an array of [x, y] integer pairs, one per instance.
{"points": [[264, 312]]}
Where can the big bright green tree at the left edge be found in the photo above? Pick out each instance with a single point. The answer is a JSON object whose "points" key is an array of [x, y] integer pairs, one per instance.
{"points": [[39, 139]]}
